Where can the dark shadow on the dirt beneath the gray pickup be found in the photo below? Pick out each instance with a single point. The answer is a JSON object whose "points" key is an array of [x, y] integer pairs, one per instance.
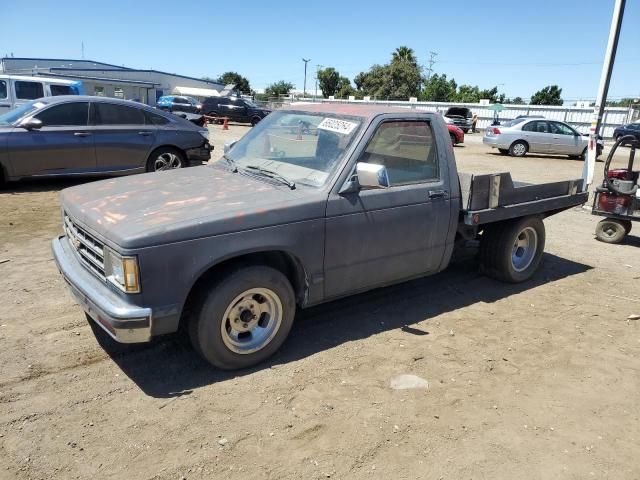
{"points": [[168, 367]]}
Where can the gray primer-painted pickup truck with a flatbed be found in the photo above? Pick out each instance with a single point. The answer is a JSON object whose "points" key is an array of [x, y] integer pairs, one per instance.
{"points": [[315, 203]]}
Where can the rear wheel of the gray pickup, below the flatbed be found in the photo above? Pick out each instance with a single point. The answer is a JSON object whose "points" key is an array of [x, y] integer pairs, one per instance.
{"points": [[511, 251]]}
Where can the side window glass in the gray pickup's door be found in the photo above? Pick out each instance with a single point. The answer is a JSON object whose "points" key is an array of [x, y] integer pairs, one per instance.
{"points": [[407, 149]]}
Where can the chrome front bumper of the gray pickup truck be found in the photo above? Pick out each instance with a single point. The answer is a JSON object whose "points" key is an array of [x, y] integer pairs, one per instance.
{"points": [[123, 321]]}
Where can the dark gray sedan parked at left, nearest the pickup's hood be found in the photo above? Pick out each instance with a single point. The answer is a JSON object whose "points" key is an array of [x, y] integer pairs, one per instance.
{"points": [[81, 135]]}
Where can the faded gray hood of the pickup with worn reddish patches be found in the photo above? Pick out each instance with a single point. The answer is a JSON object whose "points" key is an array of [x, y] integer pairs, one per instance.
{"points": [[151, 209]]}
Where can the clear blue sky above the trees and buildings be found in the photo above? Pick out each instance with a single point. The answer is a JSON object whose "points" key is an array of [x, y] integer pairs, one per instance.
{"points": [[520, 46]]}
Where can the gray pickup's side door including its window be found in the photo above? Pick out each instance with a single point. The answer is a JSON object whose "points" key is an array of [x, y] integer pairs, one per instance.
{"points": [[377, 237]]}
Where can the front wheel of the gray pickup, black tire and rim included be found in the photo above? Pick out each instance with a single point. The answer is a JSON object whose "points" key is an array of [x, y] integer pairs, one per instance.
{"points": [[212, 329]]}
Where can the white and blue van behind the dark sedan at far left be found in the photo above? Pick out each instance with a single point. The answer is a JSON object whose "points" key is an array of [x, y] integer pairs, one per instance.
{"points": [[18, 89]]}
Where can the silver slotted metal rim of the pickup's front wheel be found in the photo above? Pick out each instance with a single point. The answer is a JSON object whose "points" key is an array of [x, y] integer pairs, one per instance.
{"points": [[251, 320]]}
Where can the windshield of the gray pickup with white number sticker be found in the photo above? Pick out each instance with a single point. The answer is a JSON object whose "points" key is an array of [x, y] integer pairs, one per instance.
{"points": [[305, 148]]}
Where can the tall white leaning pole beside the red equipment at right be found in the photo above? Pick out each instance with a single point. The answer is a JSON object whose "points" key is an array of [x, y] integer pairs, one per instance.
{"points": [[603, 90]]}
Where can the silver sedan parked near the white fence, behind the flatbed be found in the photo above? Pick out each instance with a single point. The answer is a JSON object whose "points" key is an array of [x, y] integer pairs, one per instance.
{"points": [[534, 135]]}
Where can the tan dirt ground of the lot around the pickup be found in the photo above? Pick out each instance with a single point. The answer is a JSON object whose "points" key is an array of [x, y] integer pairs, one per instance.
{"points": [[538, 380]]}
